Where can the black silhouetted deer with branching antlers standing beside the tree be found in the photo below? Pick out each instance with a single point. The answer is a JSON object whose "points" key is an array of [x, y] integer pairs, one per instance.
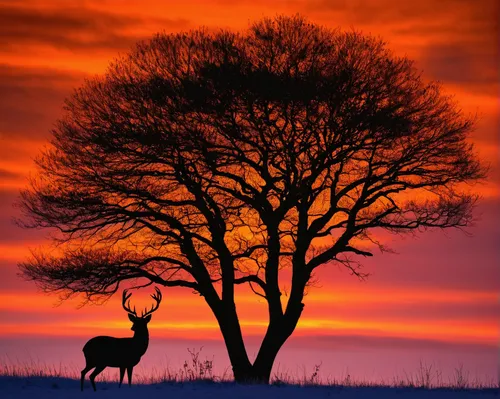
{"points": [[101, 352]]}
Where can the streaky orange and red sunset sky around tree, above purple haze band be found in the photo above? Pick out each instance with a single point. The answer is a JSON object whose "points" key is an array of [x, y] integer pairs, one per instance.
{"points": [[439, 287]]}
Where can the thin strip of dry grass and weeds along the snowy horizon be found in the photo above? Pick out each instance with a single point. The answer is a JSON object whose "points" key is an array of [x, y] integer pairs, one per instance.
{"points": [[427, 376]]}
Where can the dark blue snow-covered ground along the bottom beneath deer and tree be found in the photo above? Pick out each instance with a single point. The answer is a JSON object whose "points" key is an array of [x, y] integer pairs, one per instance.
{"points": [[64, 388]]}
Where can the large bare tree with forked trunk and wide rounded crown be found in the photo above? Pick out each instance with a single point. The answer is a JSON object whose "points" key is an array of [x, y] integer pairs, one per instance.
{"points": [[208, 160]]}
